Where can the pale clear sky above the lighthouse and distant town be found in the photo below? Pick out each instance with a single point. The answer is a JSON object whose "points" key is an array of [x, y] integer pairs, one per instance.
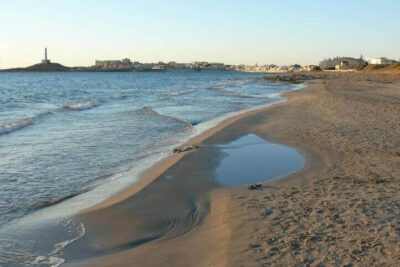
{"points": [[78, 32]]}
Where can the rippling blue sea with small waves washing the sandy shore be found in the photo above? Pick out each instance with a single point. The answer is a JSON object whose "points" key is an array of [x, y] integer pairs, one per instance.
{"points": [[70, 140]]}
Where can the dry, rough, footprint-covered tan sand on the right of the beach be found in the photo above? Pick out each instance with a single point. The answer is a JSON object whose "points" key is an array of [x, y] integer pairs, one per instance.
{"points": [[349, 213]]}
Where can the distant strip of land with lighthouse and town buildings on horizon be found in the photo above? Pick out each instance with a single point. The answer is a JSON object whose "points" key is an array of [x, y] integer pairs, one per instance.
{"points": [[126, 65]]}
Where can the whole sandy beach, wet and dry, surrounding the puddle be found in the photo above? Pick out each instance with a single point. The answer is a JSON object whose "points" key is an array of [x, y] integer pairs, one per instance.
{"points": [[341, 209]]}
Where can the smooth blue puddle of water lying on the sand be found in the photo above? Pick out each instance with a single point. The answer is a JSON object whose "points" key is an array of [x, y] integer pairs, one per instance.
{"points": [[251, 159]]}
